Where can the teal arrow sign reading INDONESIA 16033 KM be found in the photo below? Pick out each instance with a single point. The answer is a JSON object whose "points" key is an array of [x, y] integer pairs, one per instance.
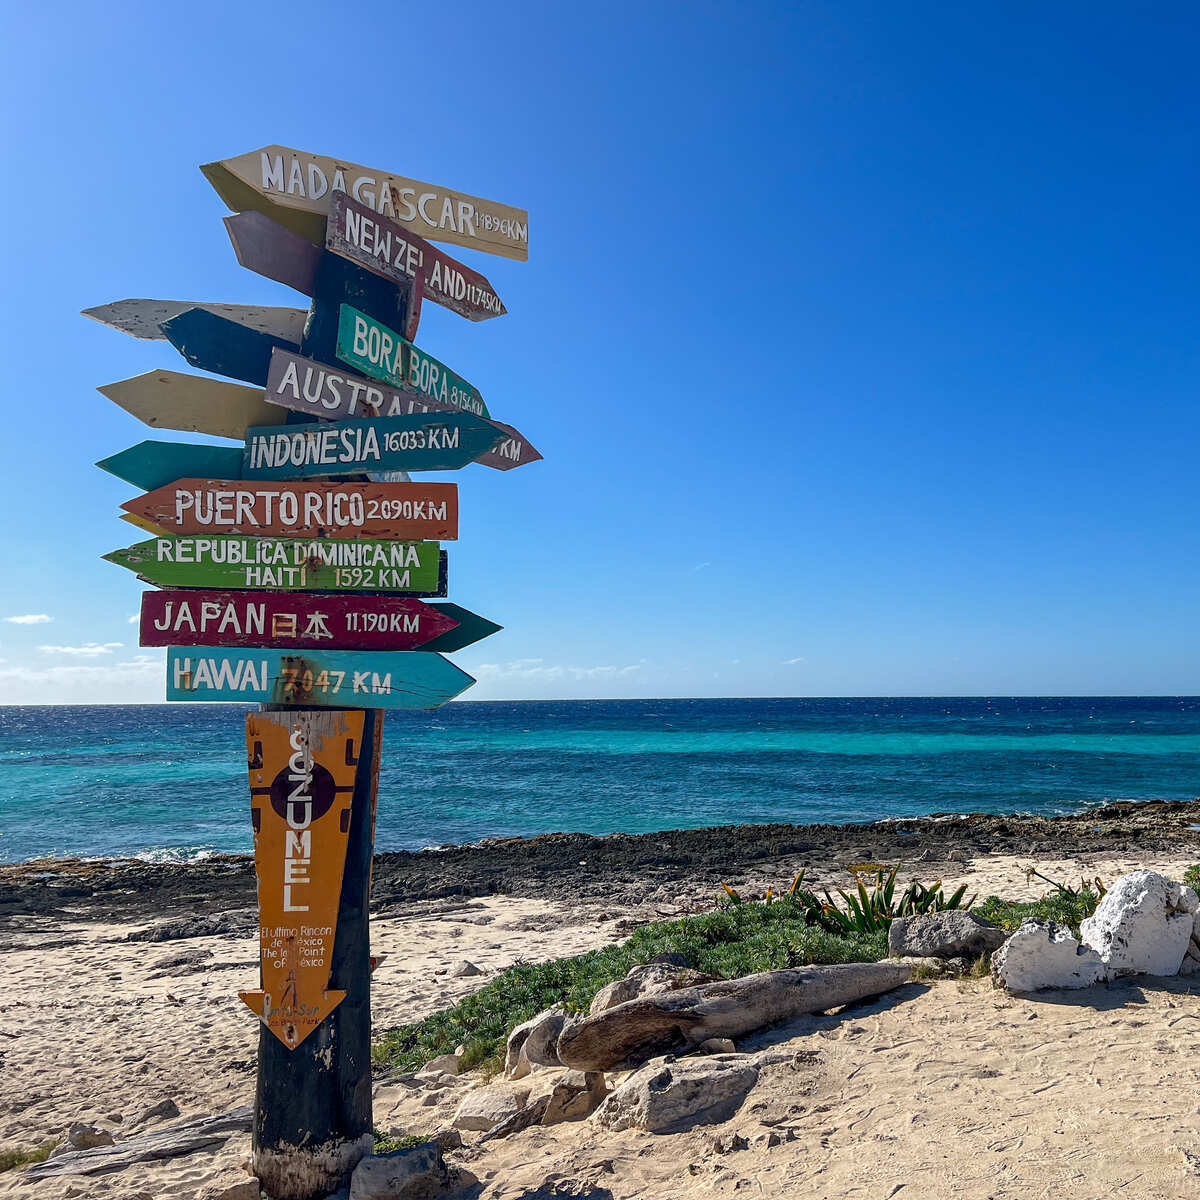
{"points": [[423, 442]]}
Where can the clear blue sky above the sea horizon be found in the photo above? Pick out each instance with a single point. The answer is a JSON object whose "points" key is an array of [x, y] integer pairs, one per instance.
{"points": [[861, 339]]}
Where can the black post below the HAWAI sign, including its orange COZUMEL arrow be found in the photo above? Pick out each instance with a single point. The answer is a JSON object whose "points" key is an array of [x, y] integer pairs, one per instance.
{"points": [[313, 1103]]}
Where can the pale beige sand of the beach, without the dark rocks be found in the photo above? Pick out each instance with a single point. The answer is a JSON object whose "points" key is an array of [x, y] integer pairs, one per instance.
{"points": [[949, 1090]]}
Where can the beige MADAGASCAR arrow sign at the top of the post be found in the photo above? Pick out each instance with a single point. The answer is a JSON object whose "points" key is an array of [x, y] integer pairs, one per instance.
{"points": [[296, 189]]}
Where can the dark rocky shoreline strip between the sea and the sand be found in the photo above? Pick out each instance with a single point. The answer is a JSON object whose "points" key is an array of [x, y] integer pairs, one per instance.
{"points": [[621, 869]]}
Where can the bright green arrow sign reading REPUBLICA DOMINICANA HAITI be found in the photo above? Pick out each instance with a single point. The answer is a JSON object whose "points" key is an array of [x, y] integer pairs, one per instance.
{"points": [[413, 568]]}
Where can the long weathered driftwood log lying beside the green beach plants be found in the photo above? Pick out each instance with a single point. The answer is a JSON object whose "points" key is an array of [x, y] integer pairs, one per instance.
{"points": [[731, 1009]]}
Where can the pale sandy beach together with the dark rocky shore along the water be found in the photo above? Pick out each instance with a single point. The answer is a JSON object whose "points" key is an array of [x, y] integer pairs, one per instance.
{"points": [[940, 1089]]}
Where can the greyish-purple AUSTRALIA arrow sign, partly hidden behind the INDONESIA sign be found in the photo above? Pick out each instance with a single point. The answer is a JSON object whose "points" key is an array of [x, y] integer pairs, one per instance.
{"points": [[307, 387]]}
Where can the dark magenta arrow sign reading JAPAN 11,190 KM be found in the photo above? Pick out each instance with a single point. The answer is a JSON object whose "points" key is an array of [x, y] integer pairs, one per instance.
{"points": [[290, 622]]}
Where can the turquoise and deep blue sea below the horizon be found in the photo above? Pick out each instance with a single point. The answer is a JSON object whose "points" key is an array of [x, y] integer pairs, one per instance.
{"points": [[170, 782]]}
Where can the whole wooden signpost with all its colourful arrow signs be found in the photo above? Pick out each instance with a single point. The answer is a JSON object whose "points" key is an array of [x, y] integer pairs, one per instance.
{"points": [[290, 583]]}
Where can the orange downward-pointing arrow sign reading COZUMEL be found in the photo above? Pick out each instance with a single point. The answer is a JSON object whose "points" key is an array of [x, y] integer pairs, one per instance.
{"points": [[302, 781]]}
